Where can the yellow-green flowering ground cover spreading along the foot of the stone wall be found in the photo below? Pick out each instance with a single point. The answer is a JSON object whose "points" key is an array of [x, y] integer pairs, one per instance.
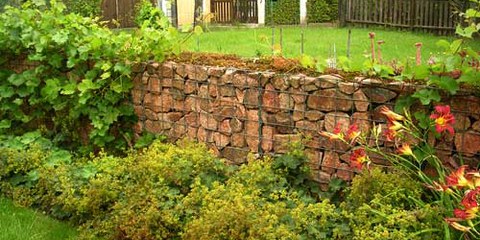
{"points": [[182, 191]]}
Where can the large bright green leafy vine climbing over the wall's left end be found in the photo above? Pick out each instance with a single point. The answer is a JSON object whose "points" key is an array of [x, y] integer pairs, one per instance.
{"points": [[77, 82]]}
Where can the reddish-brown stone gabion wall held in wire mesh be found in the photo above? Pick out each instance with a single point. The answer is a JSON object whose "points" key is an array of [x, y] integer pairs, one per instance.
{"points": [[236, 112]]}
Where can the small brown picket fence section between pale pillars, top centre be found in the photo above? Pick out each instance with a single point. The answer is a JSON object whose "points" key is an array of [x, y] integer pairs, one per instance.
{"points": [[231, 11]]}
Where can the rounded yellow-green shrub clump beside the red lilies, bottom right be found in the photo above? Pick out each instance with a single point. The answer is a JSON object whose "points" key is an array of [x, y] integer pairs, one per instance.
{"points": [[389, 206]]}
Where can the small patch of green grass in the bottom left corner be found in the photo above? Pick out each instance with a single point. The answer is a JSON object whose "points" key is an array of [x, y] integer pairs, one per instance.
{"points": [[18, 223]]}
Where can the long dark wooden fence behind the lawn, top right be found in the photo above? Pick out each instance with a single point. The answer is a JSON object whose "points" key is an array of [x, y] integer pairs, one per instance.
{"points": [[432, 15]]}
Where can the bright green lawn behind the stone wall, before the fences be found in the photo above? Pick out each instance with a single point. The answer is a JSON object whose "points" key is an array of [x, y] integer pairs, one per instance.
{"points": [[318, 42]]}
